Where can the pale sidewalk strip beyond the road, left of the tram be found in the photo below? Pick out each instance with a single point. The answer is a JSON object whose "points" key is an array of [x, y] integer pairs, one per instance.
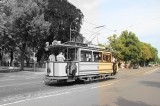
{"points": [[5, 69]]}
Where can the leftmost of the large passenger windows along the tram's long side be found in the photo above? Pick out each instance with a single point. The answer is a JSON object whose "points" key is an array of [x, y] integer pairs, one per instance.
{"points": [[86, 56]]}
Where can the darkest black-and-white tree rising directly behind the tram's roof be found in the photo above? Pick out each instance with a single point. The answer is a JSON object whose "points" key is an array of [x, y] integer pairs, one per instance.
{"points": [[65, 20]]}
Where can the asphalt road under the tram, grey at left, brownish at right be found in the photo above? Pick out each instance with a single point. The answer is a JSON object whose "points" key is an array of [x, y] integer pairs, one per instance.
{"points": [[139, 87]]}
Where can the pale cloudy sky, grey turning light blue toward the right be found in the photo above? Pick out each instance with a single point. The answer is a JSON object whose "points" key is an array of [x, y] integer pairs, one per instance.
{"points": [[103, 18]]}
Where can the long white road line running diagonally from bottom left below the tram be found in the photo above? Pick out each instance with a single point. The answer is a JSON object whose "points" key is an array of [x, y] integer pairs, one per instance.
{"points": [[63, 92]]}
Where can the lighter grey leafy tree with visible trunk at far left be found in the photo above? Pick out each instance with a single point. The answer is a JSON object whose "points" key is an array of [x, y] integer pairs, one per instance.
{"points": [[27, 27]]}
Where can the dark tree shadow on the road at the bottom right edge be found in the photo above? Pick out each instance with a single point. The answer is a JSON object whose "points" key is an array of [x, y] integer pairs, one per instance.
{"points": [[124, 102]]}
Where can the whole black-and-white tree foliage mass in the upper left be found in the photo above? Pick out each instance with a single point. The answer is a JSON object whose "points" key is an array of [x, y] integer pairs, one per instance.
{"points": [[28, 24]]}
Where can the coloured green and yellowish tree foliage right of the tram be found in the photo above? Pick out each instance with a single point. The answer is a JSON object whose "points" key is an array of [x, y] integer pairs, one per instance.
{"points": [[129, 48]]}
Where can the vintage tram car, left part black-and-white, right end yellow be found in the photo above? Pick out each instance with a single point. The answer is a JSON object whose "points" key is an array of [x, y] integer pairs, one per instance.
{"points": [[82, 63]]}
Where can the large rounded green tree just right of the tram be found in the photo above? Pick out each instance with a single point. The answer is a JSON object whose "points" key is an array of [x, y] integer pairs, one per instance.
{"points": [[126, 46]]}
